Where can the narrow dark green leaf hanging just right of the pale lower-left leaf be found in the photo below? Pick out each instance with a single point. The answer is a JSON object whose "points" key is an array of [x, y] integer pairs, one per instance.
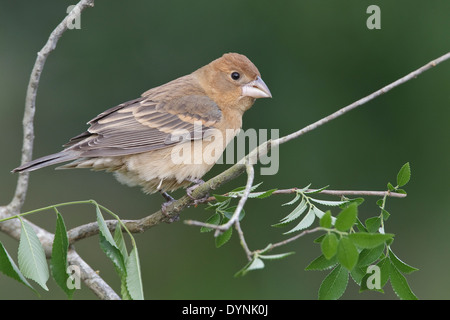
{"points": [[58, 261]]}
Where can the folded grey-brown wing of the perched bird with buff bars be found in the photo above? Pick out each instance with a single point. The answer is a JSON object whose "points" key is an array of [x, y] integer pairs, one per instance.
{"points": [[146, 124]]}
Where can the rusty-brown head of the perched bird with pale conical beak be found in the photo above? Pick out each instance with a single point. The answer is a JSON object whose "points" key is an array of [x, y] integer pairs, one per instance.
{"points": [[233, 81]]}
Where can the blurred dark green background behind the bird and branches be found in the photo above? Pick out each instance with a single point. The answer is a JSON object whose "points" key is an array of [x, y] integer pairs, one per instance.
{"points": [[315, 56]]}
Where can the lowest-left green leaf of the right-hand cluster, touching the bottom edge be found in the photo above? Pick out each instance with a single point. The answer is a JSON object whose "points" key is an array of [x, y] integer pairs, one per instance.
{"points": [[334, 284]]}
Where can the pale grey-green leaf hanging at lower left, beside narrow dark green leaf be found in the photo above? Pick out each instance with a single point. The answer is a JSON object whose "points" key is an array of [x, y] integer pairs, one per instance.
{"points": [[31, 256]]}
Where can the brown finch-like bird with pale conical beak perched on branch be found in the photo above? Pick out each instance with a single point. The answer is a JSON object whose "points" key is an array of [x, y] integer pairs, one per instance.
{"points": [[146, 141]]}
